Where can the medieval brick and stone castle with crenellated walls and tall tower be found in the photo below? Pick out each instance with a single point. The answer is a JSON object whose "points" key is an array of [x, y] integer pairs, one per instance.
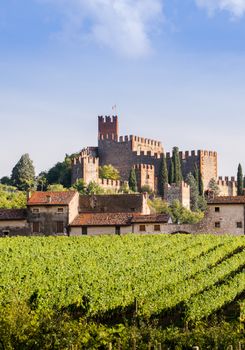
{"points": [[145, 156]]}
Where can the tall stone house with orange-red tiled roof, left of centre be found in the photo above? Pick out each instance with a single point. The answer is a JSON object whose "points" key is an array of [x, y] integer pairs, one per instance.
{"points": [[50, 213]]}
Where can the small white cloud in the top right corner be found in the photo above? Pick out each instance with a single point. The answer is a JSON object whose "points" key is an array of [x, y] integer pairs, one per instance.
{"points": [[235, 7]]}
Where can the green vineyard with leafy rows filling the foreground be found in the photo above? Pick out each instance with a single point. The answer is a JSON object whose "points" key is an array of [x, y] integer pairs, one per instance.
{"points": [[173, 282]]}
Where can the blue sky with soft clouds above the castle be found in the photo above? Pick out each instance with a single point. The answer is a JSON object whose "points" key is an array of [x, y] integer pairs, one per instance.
{"points": [[175, 69]]}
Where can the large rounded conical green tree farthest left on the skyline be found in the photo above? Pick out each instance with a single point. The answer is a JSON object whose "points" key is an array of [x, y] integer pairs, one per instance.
{"points": [[23, 173]]}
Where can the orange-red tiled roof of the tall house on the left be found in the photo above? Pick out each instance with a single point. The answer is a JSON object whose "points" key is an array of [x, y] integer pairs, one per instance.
{"points": [[51, 198]]}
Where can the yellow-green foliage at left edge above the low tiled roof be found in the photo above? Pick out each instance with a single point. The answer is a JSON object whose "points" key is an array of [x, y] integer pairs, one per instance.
{"points": [[11, 198]]}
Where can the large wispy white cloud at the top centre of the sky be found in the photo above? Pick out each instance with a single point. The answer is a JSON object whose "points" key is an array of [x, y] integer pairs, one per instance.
{"points": [[122, 25]]}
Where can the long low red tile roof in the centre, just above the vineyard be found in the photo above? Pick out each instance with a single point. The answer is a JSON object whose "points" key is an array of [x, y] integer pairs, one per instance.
{"points": [[102, 219]]}
